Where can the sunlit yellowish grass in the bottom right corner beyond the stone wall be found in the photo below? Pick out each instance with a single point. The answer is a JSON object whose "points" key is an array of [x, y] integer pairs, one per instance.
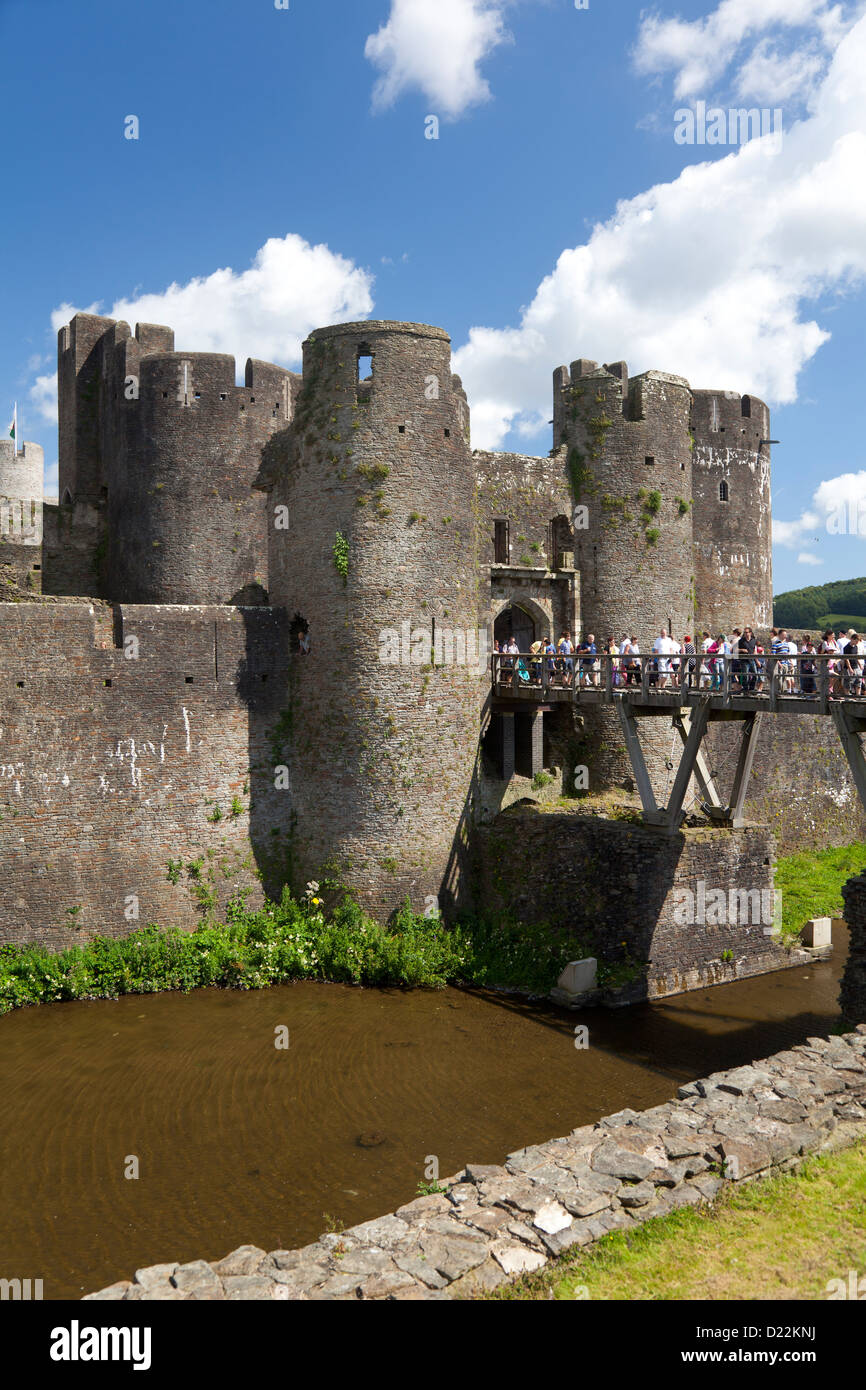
{"points": [[779, 1238]]}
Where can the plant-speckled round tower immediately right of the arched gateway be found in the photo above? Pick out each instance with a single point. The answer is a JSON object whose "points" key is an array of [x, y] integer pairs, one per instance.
{"points": [[630, 465]]}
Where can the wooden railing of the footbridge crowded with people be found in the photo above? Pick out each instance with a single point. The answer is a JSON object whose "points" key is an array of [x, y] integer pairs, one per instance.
{"points": [[821, 676]]}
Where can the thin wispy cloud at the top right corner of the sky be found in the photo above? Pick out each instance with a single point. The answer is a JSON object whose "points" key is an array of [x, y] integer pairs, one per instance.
{"points": [[700, 51]]}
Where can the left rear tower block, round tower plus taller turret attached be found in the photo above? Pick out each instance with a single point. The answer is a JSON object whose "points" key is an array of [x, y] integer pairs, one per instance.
{"points": [[165, 448]]}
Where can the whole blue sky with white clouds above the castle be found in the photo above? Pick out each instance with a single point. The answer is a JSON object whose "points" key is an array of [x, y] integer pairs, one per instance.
{"points": [[283, 180]]}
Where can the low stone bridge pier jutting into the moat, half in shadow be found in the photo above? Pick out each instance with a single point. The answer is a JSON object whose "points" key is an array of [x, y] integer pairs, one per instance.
{"points": [[616, 886]]}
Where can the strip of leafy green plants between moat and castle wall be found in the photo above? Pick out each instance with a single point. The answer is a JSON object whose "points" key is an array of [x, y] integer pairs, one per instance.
{"points": [[293, 940]]}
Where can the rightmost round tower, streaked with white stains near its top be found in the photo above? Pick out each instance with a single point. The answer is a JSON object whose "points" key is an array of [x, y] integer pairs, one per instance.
{"points": [[732, 514]]}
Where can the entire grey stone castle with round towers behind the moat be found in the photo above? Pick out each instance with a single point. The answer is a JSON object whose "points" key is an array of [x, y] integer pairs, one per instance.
{"points": [[233, 559]]}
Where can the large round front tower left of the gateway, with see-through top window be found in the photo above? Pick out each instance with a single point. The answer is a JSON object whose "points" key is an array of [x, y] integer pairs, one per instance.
{"points": [[373, 557]]}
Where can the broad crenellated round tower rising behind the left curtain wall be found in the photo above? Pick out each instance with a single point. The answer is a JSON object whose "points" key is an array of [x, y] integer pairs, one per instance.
{"points": [[184, 523]]}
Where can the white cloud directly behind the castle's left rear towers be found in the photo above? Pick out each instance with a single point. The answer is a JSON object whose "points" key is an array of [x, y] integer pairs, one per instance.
{"points": [[263, 312]]}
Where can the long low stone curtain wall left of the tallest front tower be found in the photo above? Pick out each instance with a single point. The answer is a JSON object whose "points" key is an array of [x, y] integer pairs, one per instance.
{"points": [[112, 767]]}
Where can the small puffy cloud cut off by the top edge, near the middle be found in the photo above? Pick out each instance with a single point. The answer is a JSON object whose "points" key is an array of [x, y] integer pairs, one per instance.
{"points": [[437, 48]]}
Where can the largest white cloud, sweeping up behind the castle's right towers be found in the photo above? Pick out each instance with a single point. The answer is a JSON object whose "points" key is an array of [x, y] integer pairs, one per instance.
{"points": [[707, 276]]}
